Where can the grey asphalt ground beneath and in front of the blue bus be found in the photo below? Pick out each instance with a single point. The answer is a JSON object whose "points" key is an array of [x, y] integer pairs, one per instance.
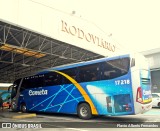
{"points": [[59, 121]]}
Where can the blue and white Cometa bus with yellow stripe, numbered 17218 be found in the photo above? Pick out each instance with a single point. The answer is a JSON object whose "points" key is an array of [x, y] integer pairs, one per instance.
{"points": [[117, 85]]}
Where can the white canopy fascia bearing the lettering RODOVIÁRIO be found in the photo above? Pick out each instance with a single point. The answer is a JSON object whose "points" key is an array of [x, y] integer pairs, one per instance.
{"points": [[58, 25]]}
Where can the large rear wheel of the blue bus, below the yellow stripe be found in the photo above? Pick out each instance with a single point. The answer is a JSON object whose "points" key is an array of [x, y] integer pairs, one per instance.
{"points": [[84, 111]]}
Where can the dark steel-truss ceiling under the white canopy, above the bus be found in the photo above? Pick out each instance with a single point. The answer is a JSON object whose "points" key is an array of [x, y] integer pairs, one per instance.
{"points": [[23, 53]]}
